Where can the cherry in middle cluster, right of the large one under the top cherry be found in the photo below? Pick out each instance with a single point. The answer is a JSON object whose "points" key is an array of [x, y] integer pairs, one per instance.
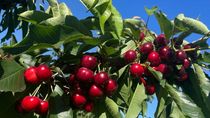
{"points": [[101, 78]]}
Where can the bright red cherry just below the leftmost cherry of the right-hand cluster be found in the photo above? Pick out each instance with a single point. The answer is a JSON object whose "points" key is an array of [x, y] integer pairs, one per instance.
{"points": [[136, 69]]}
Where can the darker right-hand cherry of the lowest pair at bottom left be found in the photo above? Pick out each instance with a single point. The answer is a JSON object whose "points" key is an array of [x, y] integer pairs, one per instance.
{"points": [[43, 108]]}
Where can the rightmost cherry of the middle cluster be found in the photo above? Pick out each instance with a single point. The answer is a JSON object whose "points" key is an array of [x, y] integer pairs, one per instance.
{"points": [[111, 87]]}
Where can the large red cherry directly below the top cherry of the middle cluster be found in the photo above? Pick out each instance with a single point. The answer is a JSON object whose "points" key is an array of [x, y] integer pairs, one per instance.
{"points": [[85, 75]]}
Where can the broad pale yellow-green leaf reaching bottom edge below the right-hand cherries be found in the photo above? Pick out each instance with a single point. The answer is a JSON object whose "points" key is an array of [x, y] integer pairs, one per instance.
{"points": [[136, 103]]}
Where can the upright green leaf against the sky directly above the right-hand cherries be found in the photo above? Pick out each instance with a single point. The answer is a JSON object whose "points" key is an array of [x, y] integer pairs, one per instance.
{"points": [[166, 25]]}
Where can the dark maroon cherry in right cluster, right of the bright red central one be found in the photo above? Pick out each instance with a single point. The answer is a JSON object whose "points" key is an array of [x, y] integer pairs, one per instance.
{"points": [[166, 53]]}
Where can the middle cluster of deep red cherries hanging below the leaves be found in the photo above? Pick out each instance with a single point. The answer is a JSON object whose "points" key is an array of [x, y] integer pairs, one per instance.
{"points": [[87, 86]]}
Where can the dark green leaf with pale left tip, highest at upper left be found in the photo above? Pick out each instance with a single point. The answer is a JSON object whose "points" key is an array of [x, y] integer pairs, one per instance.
{"points": [[34, 17]]}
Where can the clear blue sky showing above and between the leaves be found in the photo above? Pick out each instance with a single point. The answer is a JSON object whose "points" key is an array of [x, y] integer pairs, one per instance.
{"points": [[129, 8]]}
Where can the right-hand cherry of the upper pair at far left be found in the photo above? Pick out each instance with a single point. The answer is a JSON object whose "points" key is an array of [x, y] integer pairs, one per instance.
{"points": [[44, 72]]}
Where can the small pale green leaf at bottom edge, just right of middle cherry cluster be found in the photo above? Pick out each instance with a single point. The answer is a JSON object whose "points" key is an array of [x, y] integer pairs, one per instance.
{"points": [[112, 108]]}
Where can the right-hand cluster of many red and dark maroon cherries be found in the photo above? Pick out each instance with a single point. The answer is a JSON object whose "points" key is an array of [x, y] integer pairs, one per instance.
{"points": [[161, 58]]}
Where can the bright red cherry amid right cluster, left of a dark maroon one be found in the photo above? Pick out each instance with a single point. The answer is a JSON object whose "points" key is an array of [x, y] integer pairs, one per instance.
{"points": [[154, 58]]}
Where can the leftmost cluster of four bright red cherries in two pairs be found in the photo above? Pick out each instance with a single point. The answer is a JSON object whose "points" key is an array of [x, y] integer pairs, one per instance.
{"points": [[35, 75]]}
